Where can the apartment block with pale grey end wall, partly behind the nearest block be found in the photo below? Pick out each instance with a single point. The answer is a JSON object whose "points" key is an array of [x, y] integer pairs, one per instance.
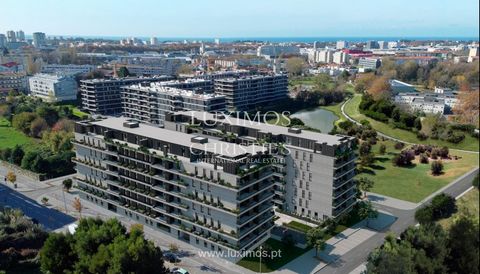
{"points": [[313, 172]]}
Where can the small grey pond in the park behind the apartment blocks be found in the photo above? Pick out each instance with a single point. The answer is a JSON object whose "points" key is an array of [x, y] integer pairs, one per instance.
{"points": [[318, 118]]}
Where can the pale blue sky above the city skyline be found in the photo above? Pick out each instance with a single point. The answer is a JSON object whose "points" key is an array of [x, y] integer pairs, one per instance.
{"points": [[243, 18]]}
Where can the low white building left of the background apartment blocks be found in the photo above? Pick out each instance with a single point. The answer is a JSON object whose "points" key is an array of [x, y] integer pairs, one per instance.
{"points": [[53, 87]]}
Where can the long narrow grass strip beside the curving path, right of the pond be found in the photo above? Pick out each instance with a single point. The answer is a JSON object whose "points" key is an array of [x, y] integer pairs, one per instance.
{"points": [[351, 109]]}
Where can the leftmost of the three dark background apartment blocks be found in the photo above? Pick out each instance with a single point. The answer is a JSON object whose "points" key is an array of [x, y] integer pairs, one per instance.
{"points": [[103, 96]]}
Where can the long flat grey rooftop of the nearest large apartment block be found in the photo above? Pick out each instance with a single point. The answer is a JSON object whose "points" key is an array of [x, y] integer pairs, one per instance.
{"points": [[230, 150]]}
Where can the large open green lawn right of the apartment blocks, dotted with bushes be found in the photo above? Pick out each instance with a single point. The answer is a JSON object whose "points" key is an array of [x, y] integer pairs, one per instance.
{"points": [[413, 183]]}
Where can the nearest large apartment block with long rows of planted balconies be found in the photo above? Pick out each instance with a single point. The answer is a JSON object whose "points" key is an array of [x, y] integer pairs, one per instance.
{"points": [[210, 193]]}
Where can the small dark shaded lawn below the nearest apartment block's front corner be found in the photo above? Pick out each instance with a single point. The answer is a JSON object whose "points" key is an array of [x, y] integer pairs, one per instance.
{"points": [[287, 254]]}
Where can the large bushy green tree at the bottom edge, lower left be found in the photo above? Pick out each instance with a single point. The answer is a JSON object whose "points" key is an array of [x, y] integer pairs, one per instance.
{"points": [[101, 247]]}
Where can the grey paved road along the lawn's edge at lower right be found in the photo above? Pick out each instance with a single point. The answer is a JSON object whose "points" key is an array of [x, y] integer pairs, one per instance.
{"points": [[355, 257]]}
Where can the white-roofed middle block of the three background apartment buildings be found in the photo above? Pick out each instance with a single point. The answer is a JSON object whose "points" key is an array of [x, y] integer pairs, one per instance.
{"points": [[149, 102]]}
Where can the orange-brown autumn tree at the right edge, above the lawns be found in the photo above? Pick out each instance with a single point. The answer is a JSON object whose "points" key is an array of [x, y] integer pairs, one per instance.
{"points": [[467, 108]]}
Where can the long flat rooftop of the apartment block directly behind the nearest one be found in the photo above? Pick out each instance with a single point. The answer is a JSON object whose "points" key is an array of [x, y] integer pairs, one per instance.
{"points": [[269, 128]]}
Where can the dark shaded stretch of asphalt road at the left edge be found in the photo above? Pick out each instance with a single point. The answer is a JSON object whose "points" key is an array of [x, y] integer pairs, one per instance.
{"points": [[51, 219]]}
